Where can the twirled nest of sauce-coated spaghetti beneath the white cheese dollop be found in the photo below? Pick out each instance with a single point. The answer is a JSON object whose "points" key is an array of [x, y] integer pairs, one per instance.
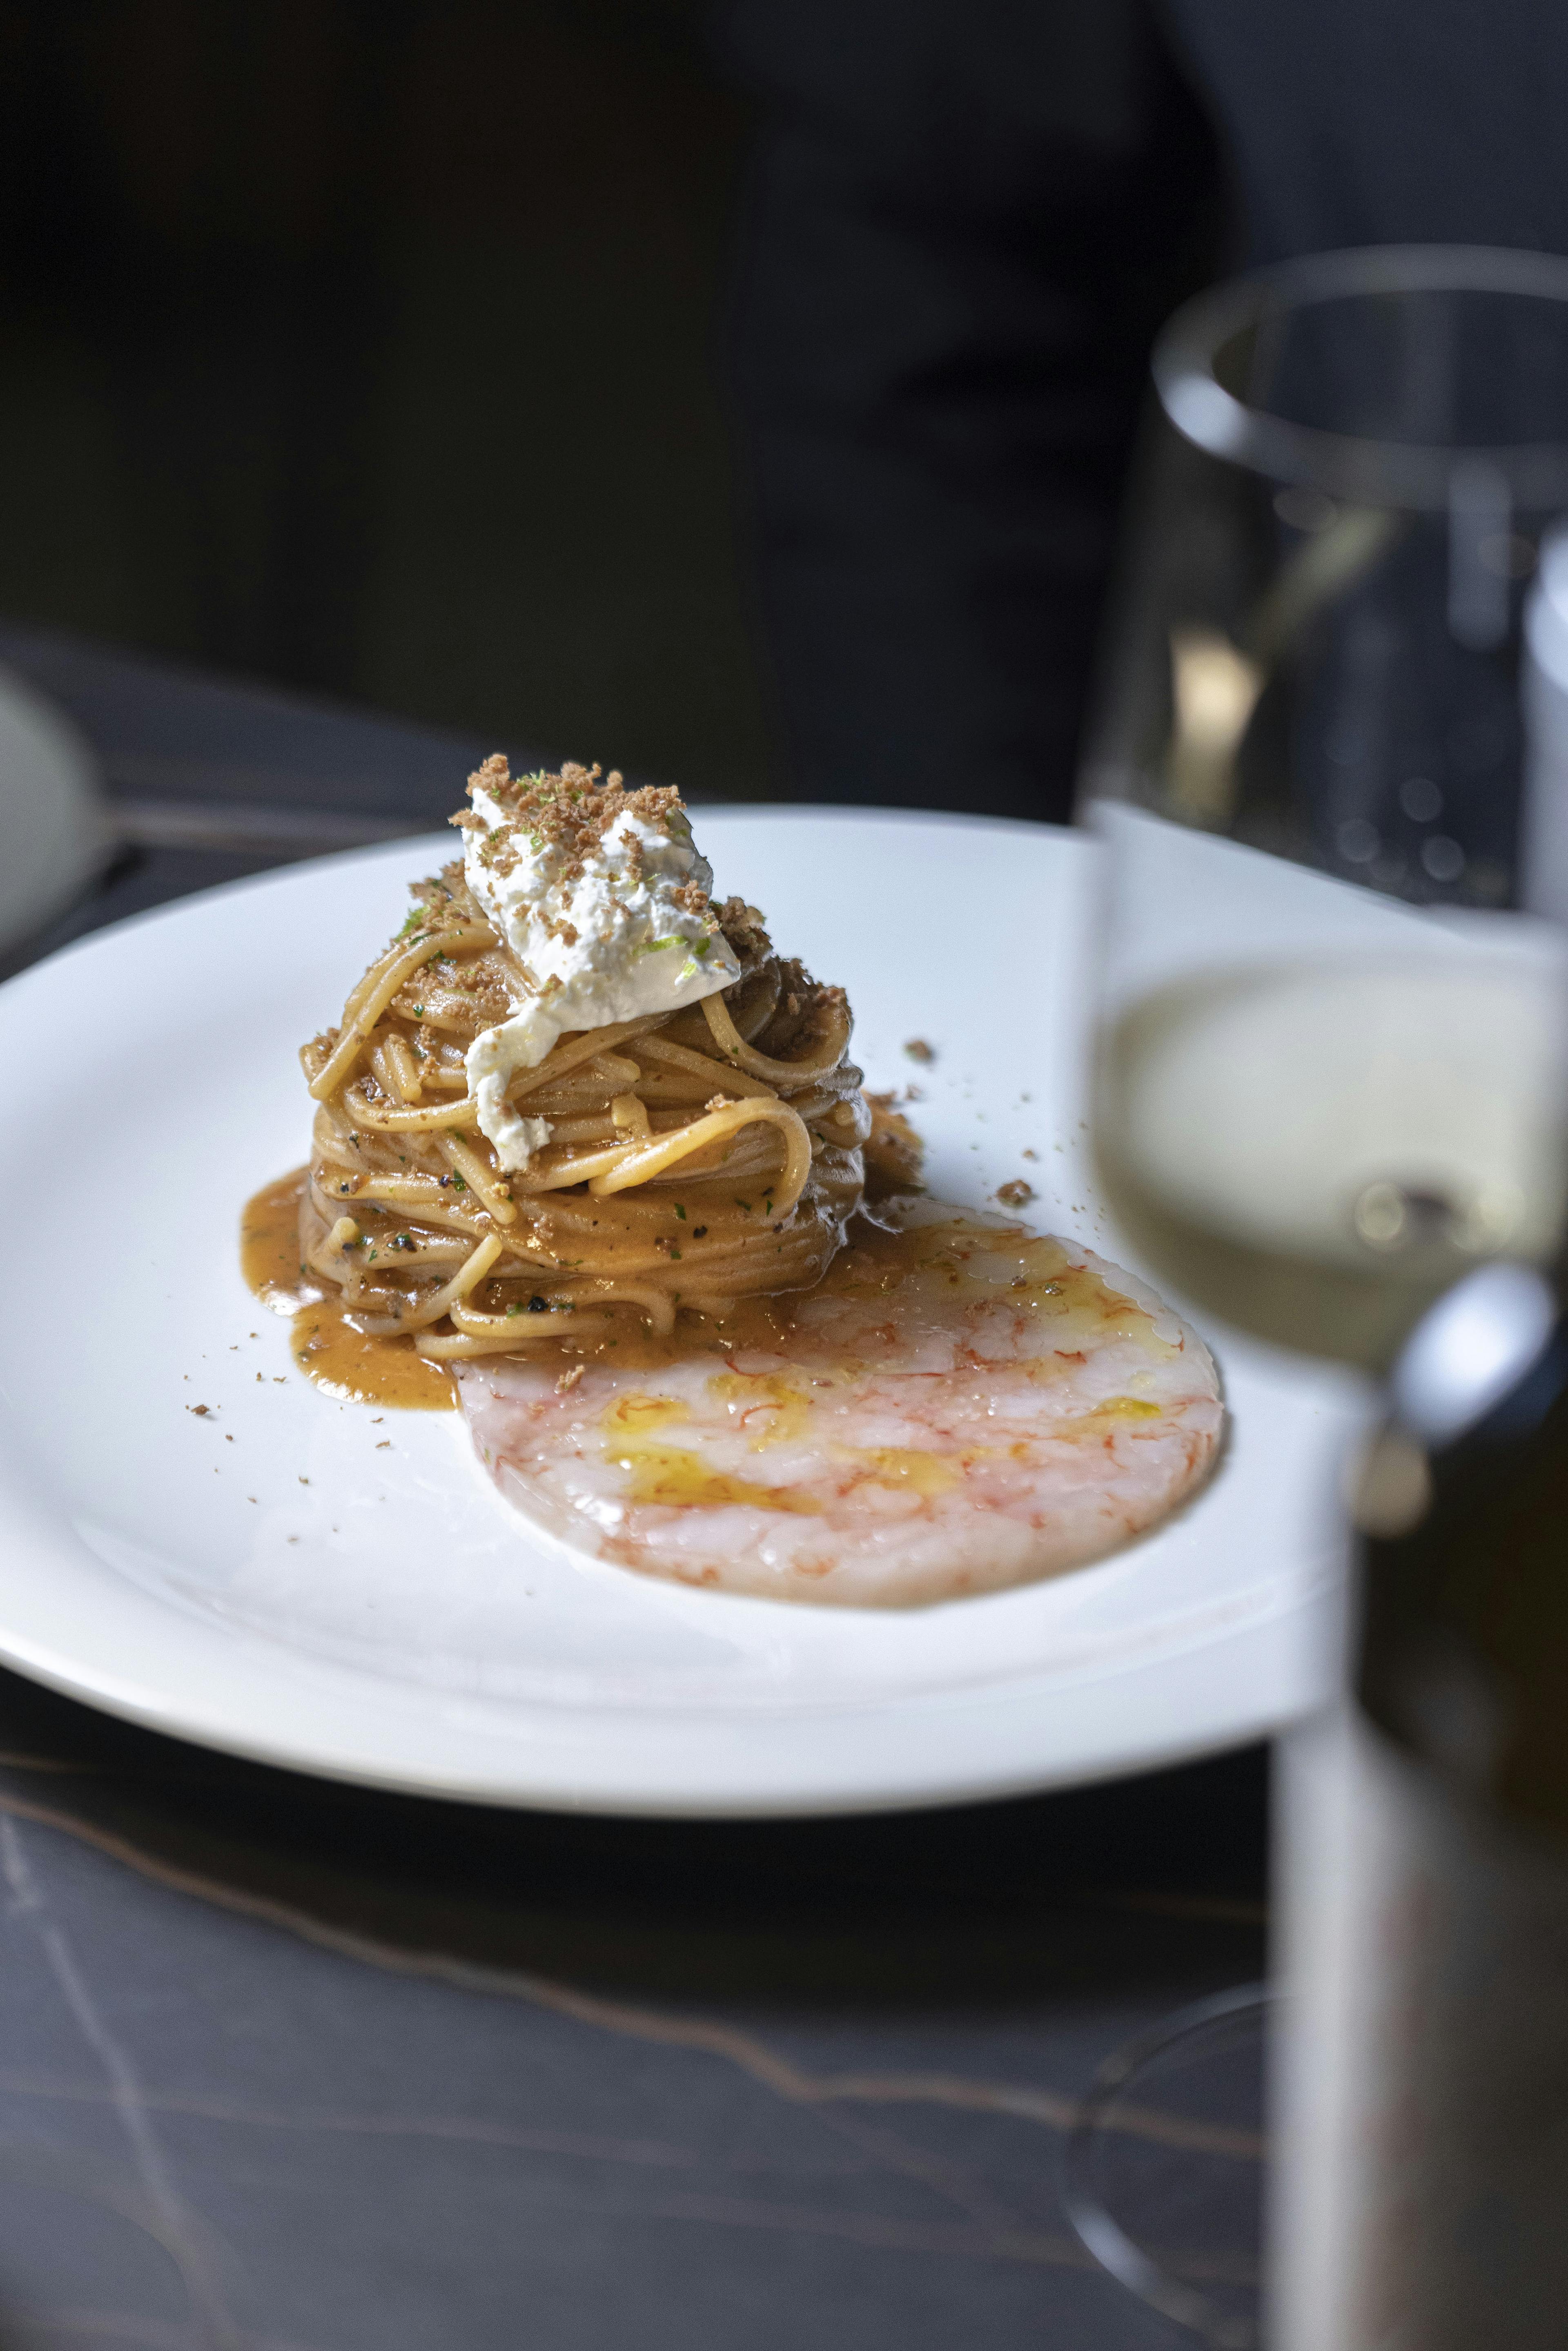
{"points": [[695, 1158]]}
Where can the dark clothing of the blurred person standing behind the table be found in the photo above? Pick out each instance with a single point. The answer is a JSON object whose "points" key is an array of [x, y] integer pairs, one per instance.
{"points": [[965, 225]]}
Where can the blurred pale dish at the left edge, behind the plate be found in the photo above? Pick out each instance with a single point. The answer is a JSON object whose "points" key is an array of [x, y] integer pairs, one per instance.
{"points": [[53, 824]]}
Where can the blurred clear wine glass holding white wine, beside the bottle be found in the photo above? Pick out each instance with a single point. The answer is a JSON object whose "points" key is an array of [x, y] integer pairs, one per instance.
{"points": [[1329, 1059]]}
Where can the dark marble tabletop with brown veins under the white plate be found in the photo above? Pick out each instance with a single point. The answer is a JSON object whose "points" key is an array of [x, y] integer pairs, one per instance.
{"points": [[297, 2068]]}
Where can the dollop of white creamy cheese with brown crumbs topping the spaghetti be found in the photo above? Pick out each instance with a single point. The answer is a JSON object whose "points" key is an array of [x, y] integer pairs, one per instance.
{"points": [[598, 927]]}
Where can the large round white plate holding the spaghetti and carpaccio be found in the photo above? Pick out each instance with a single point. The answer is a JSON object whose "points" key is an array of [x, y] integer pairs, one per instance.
{"points": [[307, 1583]]}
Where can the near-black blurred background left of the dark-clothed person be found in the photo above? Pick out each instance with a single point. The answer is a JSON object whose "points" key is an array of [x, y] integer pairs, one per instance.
{"points": [[375, 349]]}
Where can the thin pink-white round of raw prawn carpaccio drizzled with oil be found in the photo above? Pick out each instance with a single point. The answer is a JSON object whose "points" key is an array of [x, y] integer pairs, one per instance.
{"points": [[958, 1407]]}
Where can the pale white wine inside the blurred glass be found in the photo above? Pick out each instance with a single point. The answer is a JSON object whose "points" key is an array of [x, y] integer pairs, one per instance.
{"points": [[1320, 1151]]}
